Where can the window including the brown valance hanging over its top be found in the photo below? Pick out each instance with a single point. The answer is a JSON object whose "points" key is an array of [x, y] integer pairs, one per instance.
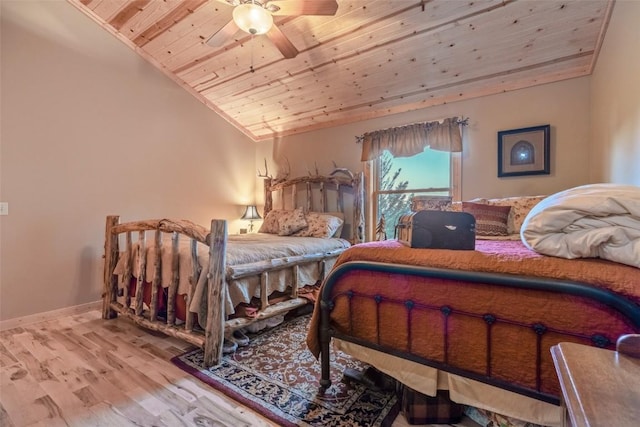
{"points": [[402, 162]]}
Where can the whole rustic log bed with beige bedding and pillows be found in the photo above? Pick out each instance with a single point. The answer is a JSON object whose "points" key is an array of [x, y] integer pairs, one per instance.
{"points": [[201, 284]]}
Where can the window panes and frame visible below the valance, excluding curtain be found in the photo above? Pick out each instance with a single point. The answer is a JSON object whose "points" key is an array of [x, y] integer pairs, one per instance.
{"points": [[396, 180]]}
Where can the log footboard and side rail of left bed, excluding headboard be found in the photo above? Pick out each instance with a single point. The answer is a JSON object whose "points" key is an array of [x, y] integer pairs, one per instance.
{"points": [[128, 301]]}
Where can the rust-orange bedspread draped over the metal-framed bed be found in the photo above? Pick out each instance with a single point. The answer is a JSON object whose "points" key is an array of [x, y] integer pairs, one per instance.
{"points": [[513, 358]]}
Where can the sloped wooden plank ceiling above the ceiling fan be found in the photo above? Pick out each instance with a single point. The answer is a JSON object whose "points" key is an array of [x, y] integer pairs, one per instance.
{"points": [[372, 58]]}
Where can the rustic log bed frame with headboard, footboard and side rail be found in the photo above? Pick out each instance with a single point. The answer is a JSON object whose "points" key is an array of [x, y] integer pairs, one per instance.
{"points": [[212, 337]]}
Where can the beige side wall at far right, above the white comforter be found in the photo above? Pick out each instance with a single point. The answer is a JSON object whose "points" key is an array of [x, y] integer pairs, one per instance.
{"points": [[615, 97]]}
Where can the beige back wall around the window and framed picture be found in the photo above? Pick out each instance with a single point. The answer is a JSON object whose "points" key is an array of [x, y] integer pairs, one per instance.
{"points": [[563, 105]]}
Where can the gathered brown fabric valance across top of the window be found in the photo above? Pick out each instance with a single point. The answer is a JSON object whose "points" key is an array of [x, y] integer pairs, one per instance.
{"points": [[409, 140]]}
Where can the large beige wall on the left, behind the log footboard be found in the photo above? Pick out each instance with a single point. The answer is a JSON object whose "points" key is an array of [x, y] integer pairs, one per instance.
{"points": [[90, 129]]}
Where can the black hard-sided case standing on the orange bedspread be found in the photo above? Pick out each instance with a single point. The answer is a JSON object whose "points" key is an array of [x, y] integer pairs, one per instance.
{"points": [[437, 230]]}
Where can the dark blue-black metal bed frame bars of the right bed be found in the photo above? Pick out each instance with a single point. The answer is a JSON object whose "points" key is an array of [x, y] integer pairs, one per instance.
{"points": [[616, 304]]}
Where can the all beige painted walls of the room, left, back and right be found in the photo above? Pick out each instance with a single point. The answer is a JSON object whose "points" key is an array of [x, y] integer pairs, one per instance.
{"points": [[89, 129]]}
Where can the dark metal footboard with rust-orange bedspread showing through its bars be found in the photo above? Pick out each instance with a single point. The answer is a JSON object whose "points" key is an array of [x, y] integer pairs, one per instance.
{"points": [[384, 319]]}
